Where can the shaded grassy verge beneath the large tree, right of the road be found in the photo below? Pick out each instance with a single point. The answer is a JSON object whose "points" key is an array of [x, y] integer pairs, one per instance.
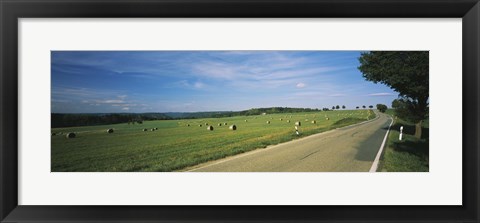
{"points": [[410, 154]]}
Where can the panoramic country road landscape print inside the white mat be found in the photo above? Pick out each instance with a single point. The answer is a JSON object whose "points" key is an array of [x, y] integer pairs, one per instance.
{"points": [[239, 111]]}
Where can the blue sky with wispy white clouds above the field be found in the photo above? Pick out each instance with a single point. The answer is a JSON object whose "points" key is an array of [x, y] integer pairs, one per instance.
{"points": [[190, 81]]}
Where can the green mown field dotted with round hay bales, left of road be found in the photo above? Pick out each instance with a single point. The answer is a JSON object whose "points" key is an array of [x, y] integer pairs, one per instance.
{"points": [[175, 145]]}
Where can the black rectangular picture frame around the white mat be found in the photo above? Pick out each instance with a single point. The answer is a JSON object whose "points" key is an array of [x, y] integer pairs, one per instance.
{"points": [[12, 10]]}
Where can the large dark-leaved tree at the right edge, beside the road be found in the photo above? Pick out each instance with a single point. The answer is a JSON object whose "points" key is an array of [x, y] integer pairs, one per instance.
{"points": [[406, 72]]}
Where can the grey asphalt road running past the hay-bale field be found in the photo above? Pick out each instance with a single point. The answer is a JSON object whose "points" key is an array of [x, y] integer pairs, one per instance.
{"points": [[348, 149]]}
